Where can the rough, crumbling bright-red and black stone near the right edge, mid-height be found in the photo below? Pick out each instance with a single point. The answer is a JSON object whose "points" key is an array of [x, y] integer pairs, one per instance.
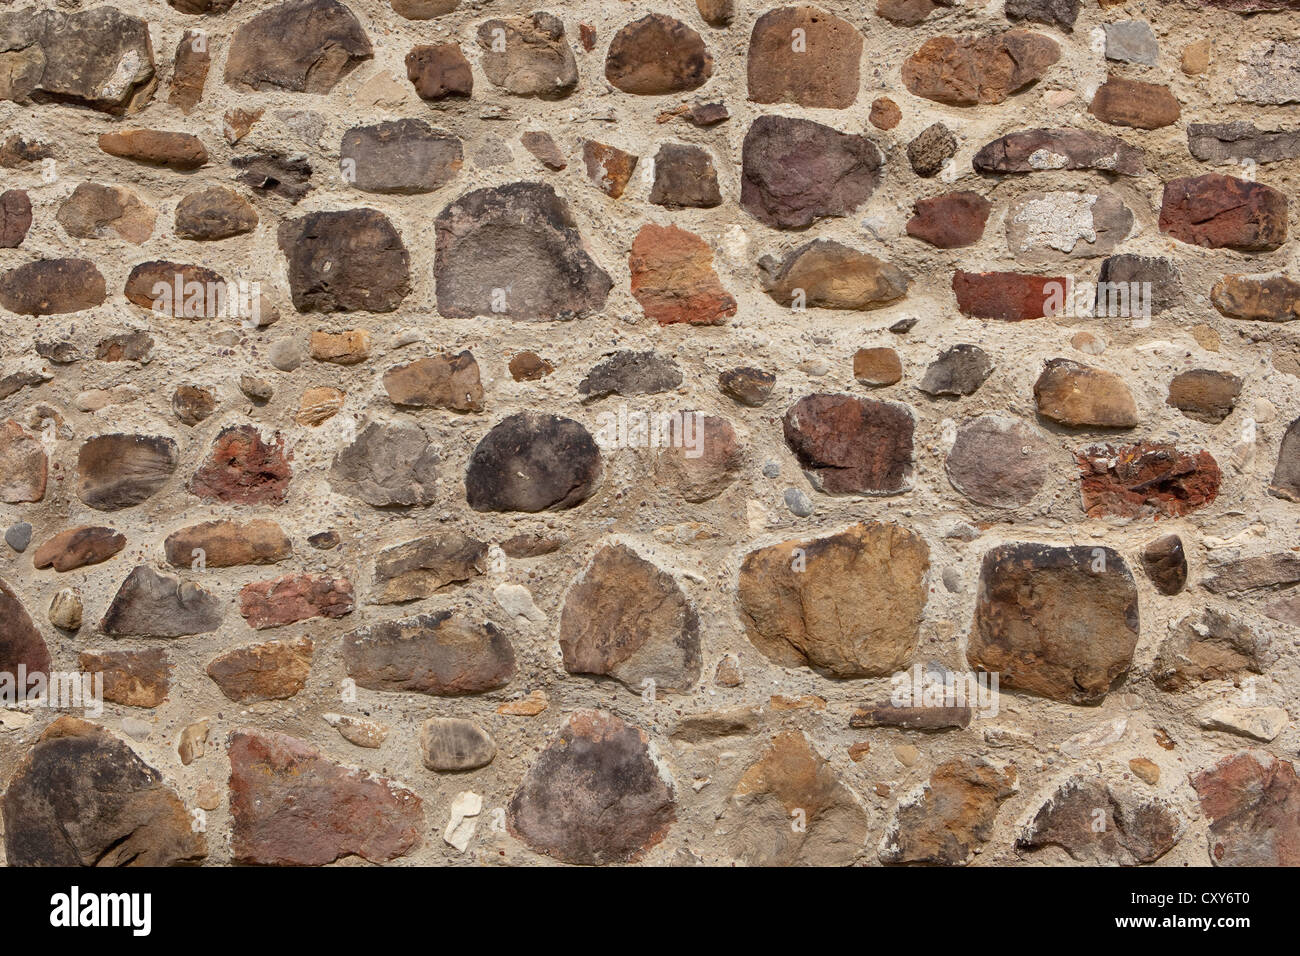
{"points": [[1146, 481]]}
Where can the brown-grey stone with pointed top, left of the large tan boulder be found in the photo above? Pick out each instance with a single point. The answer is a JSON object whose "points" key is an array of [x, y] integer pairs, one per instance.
{"points": [[627, 620]]}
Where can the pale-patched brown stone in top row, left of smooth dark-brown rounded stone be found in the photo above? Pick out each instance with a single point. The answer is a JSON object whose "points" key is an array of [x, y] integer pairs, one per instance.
{"points": [[528, 57]]}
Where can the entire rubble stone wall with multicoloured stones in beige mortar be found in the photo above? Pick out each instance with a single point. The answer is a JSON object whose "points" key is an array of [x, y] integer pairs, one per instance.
{"points": [[857, 434]]}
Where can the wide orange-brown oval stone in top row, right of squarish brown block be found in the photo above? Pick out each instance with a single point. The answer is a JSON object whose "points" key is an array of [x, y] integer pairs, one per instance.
{"points": [[970, 71]]}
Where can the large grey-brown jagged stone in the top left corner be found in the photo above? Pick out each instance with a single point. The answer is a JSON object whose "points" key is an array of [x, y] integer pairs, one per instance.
{"points": [[99, 59]]}
